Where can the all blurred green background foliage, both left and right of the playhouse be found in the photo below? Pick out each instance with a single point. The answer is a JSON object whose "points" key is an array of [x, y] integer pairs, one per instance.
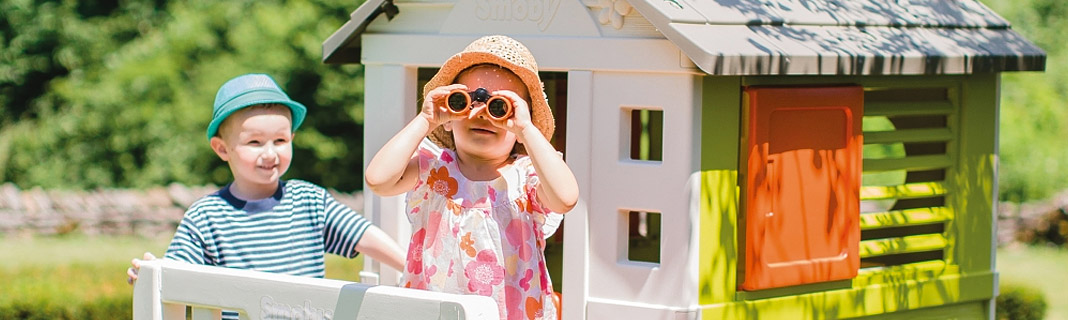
{"points": [[118, 93]]}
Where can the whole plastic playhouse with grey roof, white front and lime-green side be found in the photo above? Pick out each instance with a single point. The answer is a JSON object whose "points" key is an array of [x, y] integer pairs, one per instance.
{"points": [[739, 159]]}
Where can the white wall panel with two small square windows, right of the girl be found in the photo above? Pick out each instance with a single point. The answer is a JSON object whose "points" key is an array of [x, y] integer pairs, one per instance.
{"points": [[618, 185]]}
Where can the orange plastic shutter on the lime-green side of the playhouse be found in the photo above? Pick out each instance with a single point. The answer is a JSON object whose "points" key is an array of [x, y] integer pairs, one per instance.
{"points": [[804, 177]]}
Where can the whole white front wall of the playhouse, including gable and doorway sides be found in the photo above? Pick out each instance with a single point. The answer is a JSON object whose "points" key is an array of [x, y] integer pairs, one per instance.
{"points": [[610, 72]]}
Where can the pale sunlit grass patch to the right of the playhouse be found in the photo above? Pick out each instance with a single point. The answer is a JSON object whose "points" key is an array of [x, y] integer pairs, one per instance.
{"points": [[1042, 268]]}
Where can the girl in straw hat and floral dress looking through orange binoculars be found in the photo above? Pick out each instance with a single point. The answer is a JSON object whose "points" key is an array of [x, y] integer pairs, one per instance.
{"points": [[484, 197]]}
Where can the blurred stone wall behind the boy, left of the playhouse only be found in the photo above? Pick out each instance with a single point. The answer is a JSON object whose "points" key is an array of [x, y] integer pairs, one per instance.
{"points": [[151, 212]]}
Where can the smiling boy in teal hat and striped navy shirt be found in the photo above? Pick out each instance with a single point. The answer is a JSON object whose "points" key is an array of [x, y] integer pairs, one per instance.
{"points": [[261, 222]]}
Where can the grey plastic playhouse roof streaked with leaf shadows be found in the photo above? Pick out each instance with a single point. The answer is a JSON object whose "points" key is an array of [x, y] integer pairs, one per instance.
{"points": [[743, 38]]}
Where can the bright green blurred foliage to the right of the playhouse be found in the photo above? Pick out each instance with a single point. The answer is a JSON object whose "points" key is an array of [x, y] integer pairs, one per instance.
{"points": [[1034, 121]]}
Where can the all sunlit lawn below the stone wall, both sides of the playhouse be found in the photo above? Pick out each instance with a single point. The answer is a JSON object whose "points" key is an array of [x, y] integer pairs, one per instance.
{"points": [[77, 269]]}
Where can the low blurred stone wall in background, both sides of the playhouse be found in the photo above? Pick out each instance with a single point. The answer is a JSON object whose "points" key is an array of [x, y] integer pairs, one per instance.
{"points": [[158, 212]]}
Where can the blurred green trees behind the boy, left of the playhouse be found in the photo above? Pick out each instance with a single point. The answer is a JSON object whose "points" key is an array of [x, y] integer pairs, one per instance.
{"points": [[131, 90]]}
